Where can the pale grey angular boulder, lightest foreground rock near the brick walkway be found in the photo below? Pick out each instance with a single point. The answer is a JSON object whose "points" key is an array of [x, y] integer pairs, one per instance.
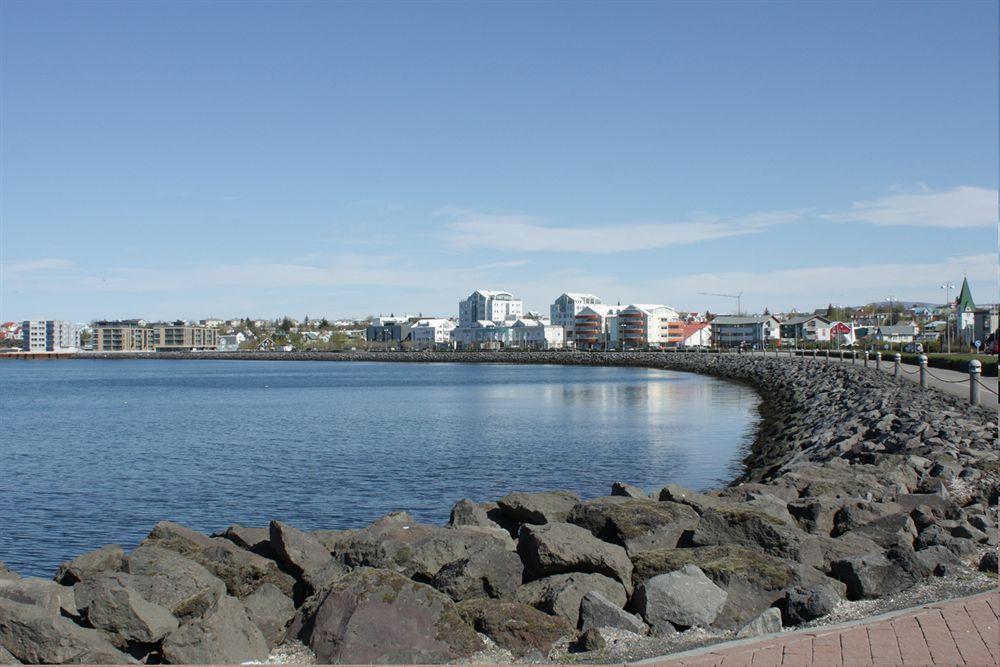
{"points": [[684, 598]]}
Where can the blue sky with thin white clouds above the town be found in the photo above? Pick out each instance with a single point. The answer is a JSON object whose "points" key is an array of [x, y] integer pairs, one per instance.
{"points": [[192, 159]]}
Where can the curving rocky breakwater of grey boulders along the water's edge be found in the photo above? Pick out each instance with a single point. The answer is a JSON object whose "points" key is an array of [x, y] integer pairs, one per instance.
{"points": [[856, 488]]}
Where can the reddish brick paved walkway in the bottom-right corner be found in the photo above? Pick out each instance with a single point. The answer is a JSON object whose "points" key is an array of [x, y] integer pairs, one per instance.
{"points": [[961, 632]]}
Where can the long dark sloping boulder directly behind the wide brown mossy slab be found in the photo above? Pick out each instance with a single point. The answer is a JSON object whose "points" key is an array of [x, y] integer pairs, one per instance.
{"points": [[757, 530]]}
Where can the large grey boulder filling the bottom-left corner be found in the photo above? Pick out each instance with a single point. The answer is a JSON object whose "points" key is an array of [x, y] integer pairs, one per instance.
{"points": [[34, 635]]}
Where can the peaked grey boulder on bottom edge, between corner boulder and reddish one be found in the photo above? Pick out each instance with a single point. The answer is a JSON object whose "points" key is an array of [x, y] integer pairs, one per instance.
{"points": [[224, 635]]}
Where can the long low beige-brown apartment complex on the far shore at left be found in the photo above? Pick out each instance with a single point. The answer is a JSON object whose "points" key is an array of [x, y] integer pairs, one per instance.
{"points": [[140, 336]]}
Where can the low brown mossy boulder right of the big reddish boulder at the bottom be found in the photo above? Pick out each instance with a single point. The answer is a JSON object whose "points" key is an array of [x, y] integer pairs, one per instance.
{"points": [[519, 628]]}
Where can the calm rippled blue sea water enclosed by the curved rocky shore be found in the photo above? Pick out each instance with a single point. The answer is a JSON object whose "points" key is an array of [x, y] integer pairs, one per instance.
{"points": [[93, 452]]}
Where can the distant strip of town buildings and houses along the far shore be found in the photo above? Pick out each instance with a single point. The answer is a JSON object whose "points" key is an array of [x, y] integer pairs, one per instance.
{"points": [[496, 319]]}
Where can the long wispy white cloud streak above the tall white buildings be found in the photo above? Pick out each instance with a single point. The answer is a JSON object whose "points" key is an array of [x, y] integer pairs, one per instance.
{"points": [[520, 233]]}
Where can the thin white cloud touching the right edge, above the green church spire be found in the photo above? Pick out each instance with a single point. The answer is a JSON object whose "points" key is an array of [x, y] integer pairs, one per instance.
{"points": [[962, 206]]}
